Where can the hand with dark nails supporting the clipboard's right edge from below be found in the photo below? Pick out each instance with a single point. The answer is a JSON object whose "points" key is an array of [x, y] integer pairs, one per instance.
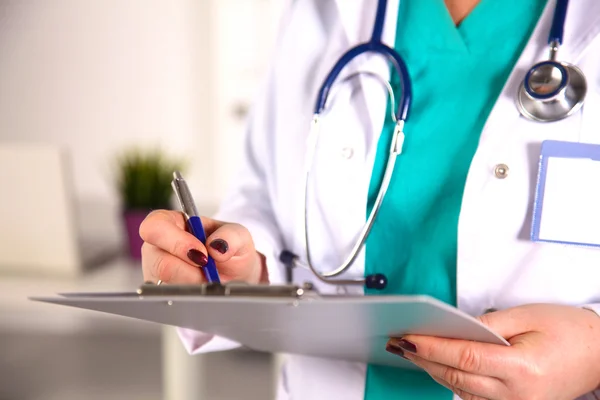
{"points": [[554, 354]]}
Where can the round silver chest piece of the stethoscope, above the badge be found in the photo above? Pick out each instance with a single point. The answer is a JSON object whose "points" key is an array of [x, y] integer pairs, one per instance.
{"points": [[551, 91]]}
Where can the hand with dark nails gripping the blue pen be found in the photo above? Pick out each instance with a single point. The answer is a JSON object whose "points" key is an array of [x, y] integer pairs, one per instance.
{"points": [[173, 255]]}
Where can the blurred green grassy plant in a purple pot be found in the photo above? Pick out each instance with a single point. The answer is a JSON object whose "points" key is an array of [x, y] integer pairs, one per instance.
{"points": [[144, 184]]}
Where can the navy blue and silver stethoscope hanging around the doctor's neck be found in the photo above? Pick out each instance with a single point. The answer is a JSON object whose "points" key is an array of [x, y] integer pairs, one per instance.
{"points": [[550, 91]]}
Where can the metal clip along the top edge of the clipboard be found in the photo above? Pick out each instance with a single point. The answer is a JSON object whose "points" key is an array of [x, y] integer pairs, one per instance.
{"points": [[230, 289]]}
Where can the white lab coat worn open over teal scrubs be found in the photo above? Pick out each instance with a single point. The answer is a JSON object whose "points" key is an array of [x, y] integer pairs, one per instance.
{"points": [[498, 266]]}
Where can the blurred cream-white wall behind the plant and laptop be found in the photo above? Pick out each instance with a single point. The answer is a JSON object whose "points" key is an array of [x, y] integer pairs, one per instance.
{"points": [[96, 75]]}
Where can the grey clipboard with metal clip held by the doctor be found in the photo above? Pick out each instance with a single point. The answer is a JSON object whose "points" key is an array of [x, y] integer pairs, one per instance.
{"points": [[289, 318]]}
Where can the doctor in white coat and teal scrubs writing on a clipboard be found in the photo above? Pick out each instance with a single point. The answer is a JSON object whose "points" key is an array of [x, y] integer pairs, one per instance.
{"points": [[456, 220]]}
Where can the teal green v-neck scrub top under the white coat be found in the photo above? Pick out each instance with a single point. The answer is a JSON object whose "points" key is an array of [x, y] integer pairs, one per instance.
{"points": [[457, 74]]}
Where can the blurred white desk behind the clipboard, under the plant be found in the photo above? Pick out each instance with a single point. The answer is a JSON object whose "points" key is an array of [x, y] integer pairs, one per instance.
{"points": [[183, 377]]}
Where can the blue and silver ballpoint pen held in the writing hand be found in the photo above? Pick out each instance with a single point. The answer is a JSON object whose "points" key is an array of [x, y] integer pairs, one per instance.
{"points": [[194, 223]]}
